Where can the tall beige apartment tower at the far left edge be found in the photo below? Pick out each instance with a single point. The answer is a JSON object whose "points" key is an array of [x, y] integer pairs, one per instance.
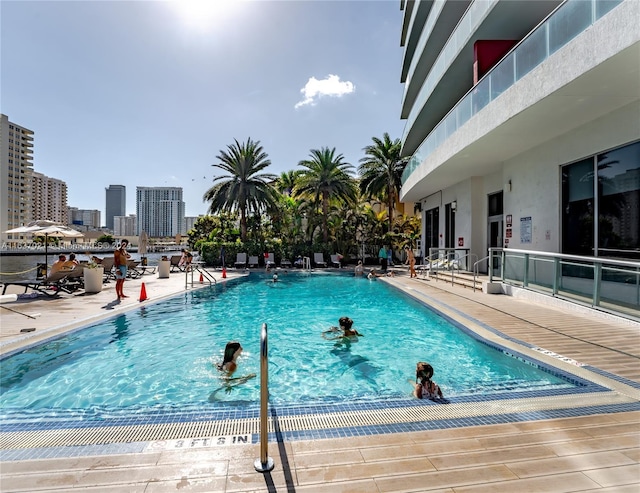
{"points": [[16, 167]]}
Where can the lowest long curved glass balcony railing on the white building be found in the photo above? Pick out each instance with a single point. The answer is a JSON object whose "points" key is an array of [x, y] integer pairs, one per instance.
{"points": [[564, 24]]}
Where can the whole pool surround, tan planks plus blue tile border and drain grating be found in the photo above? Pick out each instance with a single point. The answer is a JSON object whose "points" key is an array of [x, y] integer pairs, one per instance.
{"points": [[580, 440]]}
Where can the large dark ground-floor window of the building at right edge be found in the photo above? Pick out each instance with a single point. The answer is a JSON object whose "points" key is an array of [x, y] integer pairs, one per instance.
{"points": [[616, 204]]}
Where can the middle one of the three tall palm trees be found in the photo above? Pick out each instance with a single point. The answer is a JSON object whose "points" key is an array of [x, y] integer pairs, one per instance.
{"points": [[326, 175]]}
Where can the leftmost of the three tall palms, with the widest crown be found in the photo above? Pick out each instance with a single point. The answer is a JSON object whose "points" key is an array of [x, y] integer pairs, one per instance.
{"points": [[243, 189]]}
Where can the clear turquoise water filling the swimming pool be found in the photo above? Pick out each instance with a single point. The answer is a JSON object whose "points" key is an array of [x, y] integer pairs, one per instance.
{"points": [[163, 356]]}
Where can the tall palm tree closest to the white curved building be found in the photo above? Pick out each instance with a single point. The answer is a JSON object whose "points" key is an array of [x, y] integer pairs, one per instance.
{"points": [[381, 171]]}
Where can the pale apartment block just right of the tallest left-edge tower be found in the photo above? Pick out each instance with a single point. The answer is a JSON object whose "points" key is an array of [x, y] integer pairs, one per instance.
{"points": [[49, 197]]}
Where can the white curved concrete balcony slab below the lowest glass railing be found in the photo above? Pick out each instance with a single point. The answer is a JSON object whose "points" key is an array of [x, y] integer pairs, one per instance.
{"points": [[513, 124]]}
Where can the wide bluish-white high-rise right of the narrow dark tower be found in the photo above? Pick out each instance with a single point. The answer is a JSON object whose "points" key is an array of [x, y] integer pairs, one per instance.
{"points": [[160, 211]]}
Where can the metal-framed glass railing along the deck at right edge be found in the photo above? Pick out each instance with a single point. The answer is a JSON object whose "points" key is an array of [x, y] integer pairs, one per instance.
{"points": [[608, 284]]}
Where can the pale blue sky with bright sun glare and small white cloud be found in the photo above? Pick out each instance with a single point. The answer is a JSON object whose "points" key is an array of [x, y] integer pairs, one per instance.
{"points": [[146, 93]]}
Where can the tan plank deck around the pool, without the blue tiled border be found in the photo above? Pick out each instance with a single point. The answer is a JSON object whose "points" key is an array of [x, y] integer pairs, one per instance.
{"points": [[577, 453]]}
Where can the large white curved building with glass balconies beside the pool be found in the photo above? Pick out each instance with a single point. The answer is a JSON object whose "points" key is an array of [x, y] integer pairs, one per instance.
{"points": [[523, 124]]}
